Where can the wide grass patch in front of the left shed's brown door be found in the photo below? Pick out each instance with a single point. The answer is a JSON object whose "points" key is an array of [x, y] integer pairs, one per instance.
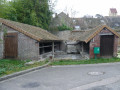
{"points": [[8, 66]]}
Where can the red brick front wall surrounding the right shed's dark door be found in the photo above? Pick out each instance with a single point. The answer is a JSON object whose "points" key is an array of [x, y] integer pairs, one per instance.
{"points": [[95, 42]]}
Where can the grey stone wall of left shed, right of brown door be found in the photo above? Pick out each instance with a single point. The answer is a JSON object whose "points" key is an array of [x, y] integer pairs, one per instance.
{"points": [[28, 48]]}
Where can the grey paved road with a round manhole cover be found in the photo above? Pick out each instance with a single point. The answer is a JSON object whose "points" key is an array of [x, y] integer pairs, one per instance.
{"points": [[74, 77]]}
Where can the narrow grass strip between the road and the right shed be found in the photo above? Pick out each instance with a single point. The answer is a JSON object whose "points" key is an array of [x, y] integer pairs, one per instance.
{"points": [[91, 61]]}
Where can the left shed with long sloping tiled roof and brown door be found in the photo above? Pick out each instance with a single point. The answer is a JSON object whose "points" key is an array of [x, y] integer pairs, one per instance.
{"points": [[23, 41]]}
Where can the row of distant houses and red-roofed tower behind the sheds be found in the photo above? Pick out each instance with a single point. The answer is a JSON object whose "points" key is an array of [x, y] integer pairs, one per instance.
{"points": [[86, 23]]}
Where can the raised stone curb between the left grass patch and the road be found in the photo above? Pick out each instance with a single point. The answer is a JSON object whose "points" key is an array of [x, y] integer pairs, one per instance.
{"points": [[23, 72]]}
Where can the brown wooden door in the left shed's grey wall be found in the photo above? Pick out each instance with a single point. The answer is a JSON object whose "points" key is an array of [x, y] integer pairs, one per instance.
{"points": [[11, 45]]}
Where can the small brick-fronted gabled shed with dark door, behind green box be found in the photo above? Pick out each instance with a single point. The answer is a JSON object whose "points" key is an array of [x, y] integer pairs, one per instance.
{"points": [[103, 37]]}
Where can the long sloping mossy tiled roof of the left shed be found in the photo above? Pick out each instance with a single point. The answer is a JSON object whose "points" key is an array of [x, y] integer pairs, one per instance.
{"points": [[29, 30]]}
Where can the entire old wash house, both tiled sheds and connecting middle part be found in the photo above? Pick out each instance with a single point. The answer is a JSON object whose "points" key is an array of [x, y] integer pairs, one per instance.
{"points": [[22, 41]]}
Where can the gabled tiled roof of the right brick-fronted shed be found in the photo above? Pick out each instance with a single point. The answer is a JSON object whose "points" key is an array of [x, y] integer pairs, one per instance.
{"points": [[89, 34]]}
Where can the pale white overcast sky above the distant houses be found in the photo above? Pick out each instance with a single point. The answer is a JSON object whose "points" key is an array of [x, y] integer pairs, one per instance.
{"points": [[83, 7]]}
